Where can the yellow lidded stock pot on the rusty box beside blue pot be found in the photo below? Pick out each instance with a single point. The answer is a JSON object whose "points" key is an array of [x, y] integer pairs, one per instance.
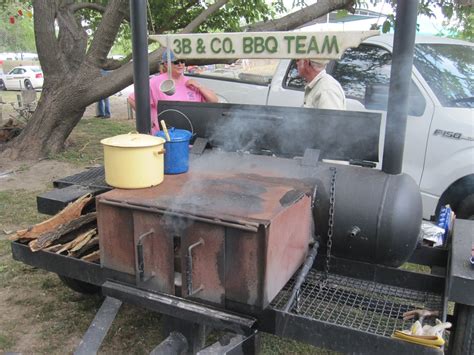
{"points": [[133, 160]]}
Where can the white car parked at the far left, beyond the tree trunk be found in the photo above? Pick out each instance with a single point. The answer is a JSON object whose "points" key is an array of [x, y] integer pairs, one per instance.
{"points": [[24, 77]]}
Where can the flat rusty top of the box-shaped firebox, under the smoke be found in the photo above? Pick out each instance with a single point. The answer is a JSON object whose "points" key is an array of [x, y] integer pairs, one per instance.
{"points": [[236, 197]]}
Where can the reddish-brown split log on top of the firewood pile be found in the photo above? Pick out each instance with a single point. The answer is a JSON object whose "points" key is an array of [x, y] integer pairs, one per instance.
{"points": [[70, 212]]}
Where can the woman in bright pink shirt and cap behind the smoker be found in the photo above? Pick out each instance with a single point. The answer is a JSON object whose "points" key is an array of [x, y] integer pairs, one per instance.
{"points": [[186, 89]]}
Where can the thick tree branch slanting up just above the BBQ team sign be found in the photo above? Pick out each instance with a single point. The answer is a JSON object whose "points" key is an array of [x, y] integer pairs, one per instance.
{"points": [[301, 17]]}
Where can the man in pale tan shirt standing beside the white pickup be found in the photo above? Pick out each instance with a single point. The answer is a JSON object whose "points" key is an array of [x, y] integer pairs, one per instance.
{"points": [[322, 90]]}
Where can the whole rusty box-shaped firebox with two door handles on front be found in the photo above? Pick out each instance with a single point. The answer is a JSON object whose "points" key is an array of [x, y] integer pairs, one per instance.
{"points": [[226, 239]]}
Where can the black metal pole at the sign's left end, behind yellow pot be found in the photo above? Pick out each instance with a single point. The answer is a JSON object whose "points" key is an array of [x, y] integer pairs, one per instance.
{"points": [[138, 19]]}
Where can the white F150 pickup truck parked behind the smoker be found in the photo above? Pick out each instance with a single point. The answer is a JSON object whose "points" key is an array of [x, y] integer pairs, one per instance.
{"points": [[439, 145]]}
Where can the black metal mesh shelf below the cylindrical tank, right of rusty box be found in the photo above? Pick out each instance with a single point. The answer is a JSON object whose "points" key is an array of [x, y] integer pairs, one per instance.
{"points": [[358, 304]]}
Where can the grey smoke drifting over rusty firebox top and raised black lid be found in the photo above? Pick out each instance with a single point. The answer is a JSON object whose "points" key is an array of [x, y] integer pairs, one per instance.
{"points": [[247, 140]]}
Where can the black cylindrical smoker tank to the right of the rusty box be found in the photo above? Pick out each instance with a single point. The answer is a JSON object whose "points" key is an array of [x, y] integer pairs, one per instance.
{"points": [[377, 216]]}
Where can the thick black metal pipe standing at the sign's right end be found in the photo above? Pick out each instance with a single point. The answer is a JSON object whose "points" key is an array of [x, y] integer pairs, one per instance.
{"points": [[400, 78]]}
